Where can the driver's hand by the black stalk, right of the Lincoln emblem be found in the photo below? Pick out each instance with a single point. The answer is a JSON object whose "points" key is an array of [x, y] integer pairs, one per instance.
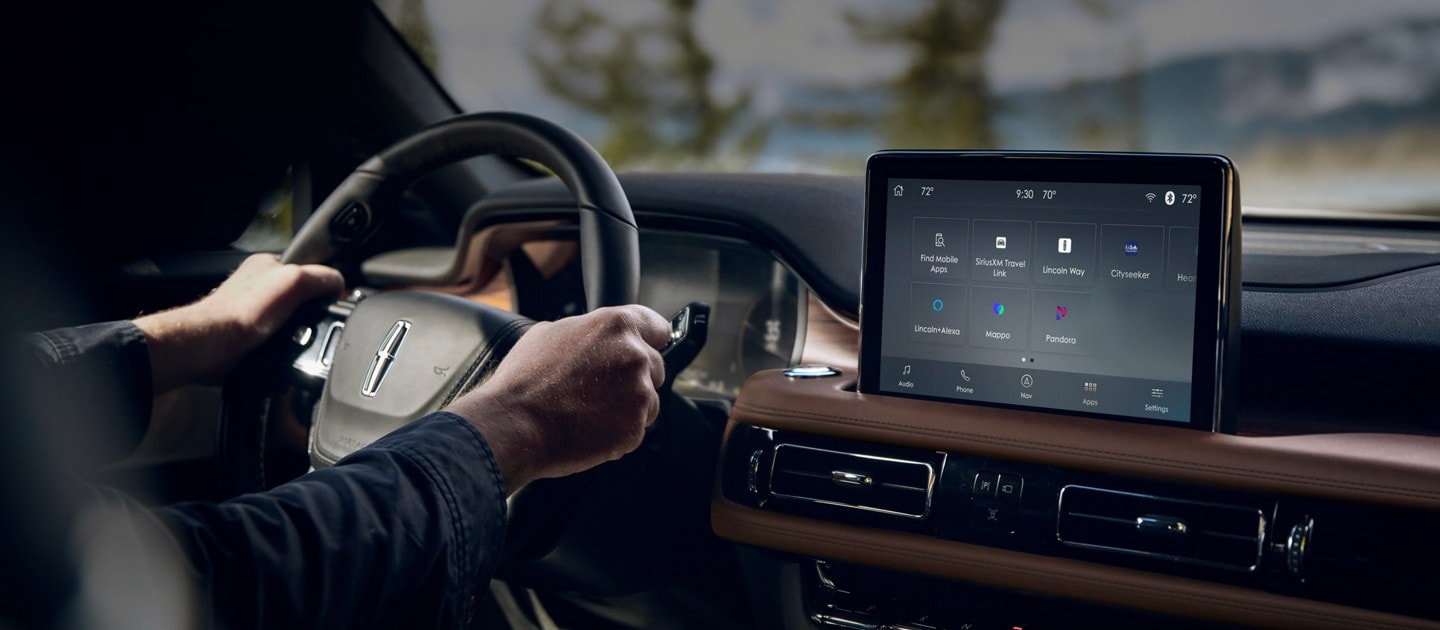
{"points": [[572, 393]]}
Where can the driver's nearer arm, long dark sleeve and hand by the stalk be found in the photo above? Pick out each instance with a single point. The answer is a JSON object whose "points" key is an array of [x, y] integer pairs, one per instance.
{"points": [[407, 531]]}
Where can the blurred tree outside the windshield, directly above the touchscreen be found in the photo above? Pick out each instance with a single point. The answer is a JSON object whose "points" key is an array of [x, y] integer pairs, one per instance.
{"points": [[942, 97]]}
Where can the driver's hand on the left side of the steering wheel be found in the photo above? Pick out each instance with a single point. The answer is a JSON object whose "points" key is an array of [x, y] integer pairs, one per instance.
{"points": [[204, 342]]}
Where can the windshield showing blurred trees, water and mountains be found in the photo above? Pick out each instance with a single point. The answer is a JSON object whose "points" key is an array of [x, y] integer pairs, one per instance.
{"points": [[1324, 106]]}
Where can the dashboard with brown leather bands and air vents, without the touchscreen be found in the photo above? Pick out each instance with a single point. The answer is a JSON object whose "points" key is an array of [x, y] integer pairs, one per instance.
{"points": [[980, 513]]}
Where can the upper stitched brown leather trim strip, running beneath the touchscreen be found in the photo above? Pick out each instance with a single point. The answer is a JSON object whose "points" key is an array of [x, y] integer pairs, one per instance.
{"points": [[1405, 470]]}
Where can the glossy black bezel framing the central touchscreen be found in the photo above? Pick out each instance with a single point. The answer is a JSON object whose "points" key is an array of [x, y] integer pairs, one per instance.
{"points": [[1218, 288]]}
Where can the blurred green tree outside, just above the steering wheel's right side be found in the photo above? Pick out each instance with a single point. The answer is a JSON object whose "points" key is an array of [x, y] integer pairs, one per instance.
{"points": [[650, 81]]}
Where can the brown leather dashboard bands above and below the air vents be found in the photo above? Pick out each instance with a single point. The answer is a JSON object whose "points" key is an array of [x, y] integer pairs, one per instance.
{"points": [[1376, 470]]}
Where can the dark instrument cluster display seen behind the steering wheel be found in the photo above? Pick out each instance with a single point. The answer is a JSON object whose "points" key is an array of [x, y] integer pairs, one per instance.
{"points": [[760, 309]]}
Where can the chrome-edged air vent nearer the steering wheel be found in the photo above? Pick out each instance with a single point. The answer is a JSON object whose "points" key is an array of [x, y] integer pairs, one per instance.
{"points": [[883, 485]]}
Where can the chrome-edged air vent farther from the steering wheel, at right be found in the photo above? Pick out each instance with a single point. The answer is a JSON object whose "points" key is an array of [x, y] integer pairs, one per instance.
{"points": [[1216, 536]]}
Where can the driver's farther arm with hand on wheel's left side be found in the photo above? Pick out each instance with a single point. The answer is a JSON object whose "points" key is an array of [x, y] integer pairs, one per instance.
{"points": [[99, 380]]}
